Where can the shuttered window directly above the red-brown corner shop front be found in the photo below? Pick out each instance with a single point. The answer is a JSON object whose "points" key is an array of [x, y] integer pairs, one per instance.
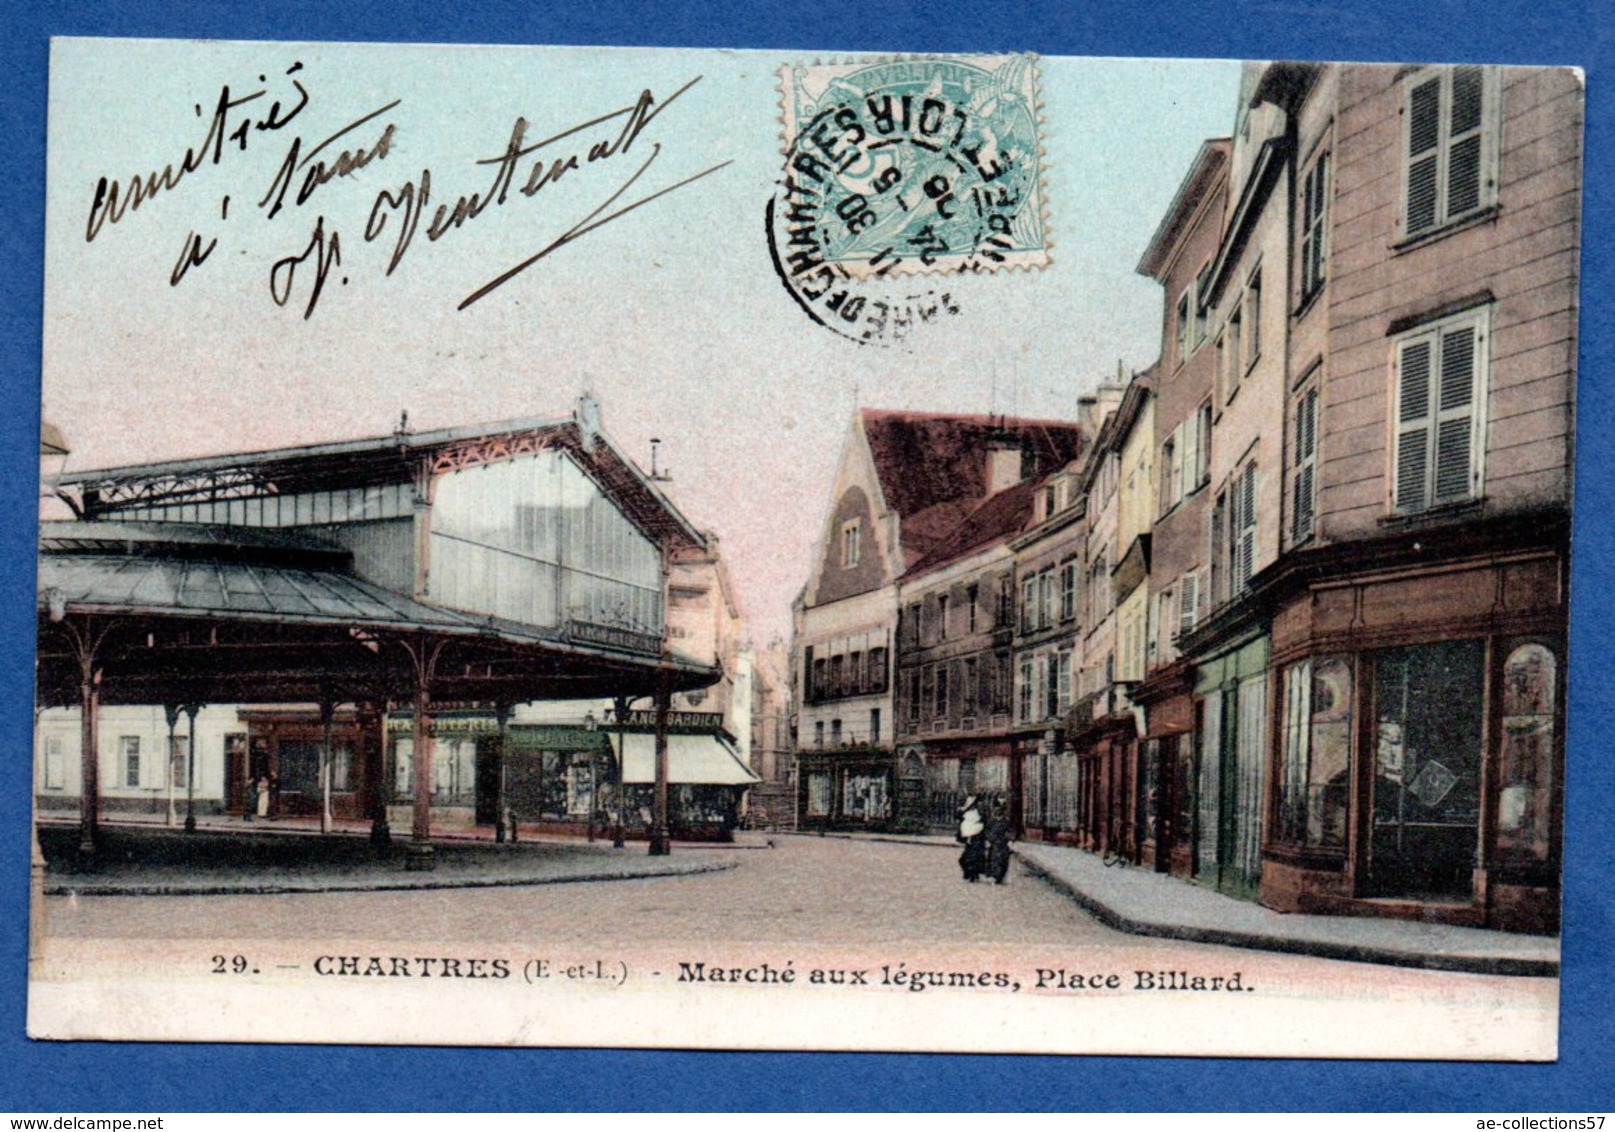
{"points": [[1440, 409]]}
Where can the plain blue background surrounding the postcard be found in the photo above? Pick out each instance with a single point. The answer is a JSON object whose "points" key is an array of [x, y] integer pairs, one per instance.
{"points": [[80, 1078]]}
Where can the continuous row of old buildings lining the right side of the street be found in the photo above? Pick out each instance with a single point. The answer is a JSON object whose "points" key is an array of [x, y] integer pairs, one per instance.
{"points": [[1283, 614]]}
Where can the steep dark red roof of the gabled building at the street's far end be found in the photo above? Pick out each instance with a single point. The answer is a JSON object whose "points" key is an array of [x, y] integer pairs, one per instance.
{"points": [[928, 459]]}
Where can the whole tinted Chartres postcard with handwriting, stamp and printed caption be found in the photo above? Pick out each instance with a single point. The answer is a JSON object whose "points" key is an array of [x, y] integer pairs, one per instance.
{"points": [[803, 551]]}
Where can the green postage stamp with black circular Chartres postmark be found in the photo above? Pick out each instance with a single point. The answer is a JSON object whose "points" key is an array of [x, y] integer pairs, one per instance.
{"points": [[899, 170]]}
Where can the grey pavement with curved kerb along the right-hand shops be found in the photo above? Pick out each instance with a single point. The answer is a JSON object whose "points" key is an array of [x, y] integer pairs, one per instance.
{"points": [[1149, 904]]}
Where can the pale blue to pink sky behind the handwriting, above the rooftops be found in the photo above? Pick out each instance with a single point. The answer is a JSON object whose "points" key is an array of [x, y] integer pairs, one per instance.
{"points": [[671, 316]]}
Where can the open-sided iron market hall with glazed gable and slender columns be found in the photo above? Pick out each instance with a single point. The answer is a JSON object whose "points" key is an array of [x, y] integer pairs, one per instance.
{"points": [[466, 568]]}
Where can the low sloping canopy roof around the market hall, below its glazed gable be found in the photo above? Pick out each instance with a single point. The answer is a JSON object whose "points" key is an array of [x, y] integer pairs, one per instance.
{"points": [[212, 614]]}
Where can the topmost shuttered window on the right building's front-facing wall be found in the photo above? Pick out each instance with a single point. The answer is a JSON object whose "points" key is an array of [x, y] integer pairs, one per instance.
{"points": [[1448, 151]]}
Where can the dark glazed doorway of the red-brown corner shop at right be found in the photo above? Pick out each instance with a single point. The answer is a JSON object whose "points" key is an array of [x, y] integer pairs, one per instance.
{"points": [[1427, 771]]}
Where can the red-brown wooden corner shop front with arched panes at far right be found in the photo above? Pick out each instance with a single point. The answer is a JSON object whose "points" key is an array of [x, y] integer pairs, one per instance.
{"points": [[1419, 745]]}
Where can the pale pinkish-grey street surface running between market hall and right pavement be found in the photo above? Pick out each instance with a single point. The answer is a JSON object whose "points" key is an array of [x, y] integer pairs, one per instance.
{"points": [[826, 891]]}
